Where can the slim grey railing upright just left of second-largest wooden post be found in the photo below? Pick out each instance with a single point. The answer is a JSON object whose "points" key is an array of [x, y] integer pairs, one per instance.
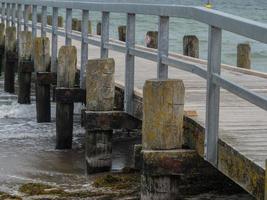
{"points": [[84, 45]]}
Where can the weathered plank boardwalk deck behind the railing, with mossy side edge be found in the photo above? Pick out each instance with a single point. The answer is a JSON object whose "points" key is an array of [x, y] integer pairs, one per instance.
{"points": [[243, 126]]}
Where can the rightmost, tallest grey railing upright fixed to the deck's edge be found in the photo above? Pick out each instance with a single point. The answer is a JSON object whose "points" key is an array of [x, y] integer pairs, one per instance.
{"points": [[213, 96]]}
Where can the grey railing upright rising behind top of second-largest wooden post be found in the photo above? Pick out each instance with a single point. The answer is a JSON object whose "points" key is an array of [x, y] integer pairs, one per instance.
{"points": [[104, 34]]}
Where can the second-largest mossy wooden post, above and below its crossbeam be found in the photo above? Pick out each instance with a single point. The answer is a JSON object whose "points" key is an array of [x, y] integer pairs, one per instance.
{"points": [[100, 95]]}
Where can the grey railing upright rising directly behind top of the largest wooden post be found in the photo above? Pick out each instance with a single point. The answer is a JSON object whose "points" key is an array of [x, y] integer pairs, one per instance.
{"points": [[163, 46]]}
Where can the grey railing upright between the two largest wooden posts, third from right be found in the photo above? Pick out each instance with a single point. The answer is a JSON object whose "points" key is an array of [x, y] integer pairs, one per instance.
{"points": [[129, 64]]}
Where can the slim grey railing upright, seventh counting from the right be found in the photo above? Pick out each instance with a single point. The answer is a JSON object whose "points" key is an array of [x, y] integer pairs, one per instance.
{"points": [[54, 40]]}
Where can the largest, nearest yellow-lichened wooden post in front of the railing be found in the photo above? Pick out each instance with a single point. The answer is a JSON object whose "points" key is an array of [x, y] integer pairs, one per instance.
{"points": [[162, 137]]}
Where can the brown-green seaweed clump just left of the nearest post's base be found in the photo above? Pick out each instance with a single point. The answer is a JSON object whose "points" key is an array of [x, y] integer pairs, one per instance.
{"points": [[118, 181]]}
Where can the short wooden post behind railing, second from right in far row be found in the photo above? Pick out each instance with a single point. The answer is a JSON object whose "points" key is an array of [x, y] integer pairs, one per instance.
{"points": [[191, 46]]}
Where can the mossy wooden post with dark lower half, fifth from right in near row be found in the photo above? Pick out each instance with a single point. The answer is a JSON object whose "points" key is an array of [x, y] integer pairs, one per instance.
{"points": [[25, 67]]}
